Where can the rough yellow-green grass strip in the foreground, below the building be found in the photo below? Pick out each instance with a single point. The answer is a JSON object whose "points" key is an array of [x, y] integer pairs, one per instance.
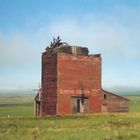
{"points": [[91, 127]]}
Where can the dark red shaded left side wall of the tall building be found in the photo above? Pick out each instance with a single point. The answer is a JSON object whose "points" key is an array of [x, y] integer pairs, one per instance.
{"points": [[49, 84]]}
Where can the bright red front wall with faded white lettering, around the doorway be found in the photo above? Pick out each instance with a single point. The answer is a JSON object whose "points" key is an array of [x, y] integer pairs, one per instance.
{"points": [[71, 70]]}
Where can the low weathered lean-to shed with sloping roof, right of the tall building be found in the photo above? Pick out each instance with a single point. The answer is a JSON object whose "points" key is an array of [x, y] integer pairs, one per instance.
{"points": [[114, 103]]}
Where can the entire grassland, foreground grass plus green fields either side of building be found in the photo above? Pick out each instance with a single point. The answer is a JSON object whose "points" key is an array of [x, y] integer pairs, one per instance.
{"points": [[18, 123]]}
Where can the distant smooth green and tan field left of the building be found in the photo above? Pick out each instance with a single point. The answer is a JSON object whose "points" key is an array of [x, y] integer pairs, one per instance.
{"points": [[16, 106]]}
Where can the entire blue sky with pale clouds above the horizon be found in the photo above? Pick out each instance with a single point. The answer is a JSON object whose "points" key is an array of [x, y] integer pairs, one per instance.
{"points": [[109, 27]]}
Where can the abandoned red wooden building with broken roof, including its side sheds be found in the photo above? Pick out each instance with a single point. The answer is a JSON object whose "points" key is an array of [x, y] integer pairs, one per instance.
{"points": [[71, 82]]}
